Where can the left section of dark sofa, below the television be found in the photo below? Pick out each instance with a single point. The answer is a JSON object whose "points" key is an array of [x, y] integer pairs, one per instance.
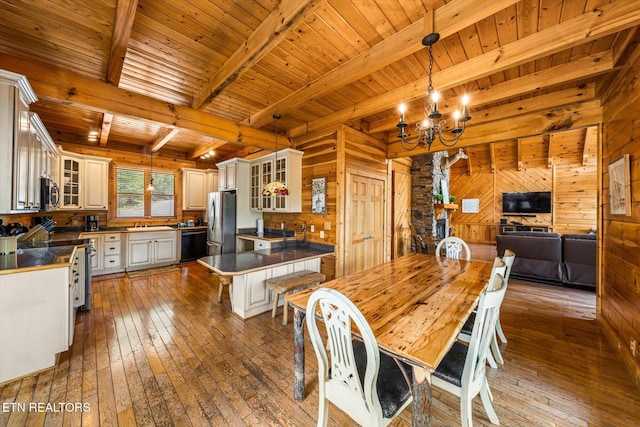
{"points": [[538, 254]]}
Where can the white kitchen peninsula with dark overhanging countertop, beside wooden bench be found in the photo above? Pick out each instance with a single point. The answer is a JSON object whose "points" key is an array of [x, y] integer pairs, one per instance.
{"points": [[250, 270]]}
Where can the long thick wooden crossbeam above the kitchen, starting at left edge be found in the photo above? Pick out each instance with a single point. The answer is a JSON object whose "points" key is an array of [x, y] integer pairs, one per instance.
{"points": [[60, 86]]}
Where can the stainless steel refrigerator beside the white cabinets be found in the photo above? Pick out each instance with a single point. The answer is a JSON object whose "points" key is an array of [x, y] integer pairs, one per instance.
{"points": [[221, 215]]}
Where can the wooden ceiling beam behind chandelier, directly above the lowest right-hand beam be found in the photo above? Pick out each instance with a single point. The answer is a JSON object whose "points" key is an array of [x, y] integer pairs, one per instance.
{"points": [[576, 70]]}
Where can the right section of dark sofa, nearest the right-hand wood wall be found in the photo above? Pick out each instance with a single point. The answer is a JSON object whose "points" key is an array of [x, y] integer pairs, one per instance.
{"points": [[579, 257]]}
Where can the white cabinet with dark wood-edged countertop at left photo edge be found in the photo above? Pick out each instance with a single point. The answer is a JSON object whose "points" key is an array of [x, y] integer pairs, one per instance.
{"points": [[37, 294]]}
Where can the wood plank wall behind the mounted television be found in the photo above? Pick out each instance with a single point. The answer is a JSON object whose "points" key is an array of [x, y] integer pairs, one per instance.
{"points": [[544, 163]]}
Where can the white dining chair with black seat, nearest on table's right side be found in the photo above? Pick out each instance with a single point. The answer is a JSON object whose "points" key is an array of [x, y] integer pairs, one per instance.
{"points": [[462, 371]]}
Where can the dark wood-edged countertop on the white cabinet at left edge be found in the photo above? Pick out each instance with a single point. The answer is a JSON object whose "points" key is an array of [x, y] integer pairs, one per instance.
{"points": [[36, 259]]}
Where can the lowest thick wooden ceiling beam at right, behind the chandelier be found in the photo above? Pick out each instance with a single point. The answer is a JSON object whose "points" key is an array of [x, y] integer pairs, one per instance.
{"points": [[539, 123]]}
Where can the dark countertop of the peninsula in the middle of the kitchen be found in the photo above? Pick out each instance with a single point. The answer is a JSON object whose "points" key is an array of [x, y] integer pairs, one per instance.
{"points": [[245, 262]]}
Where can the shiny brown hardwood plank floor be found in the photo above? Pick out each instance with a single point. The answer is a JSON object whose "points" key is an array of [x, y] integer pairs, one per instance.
{"points": [[160, 350]]}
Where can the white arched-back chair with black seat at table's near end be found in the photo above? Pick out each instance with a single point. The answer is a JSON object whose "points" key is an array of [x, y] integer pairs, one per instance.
{"points": [[369, 386]]}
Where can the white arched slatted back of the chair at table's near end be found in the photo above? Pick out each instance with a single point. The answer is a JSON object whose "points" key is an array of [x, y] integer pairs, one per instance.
{"points": [[339, 381]]}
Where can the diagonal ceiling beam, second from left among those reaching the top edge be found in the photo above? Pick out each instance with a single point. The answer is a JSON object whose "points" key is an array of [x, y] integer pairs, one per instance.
{"points": [[287, 15]]}
